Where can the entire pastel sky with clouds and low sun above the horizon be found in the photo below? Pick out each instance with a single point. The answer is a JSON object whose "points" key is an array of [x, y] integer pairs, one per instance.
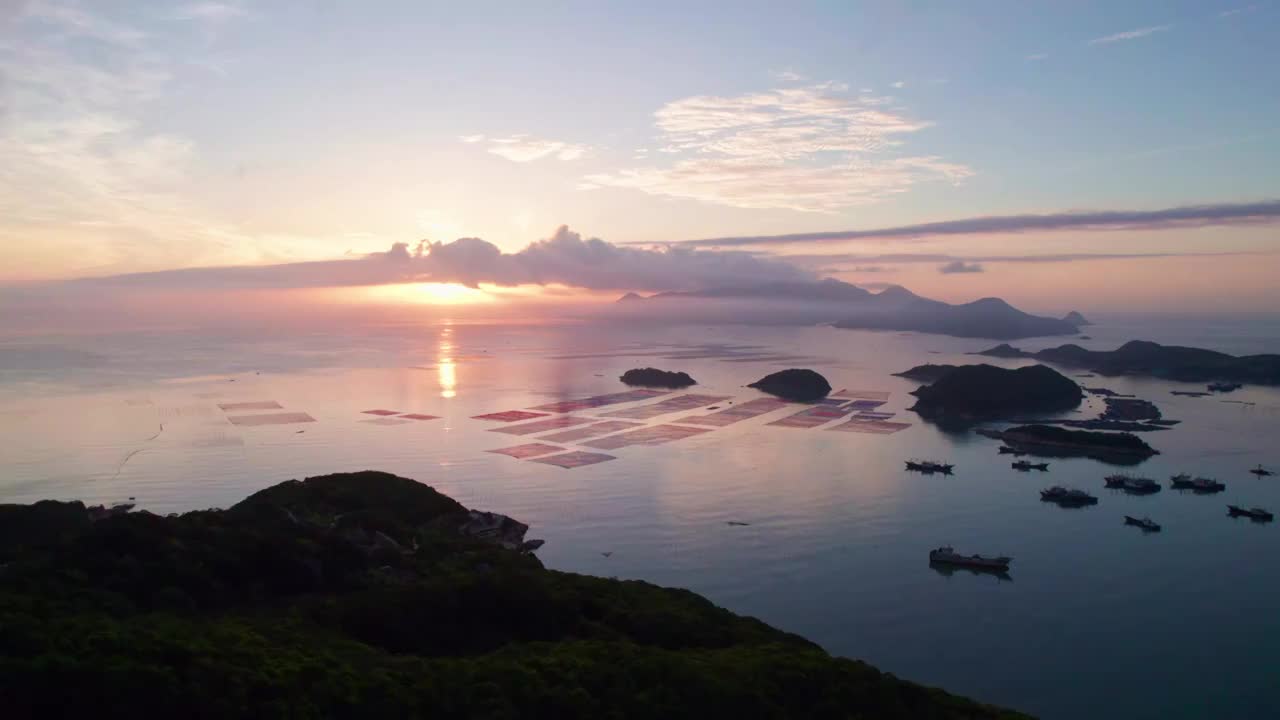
{"points": [[1055, 154]]}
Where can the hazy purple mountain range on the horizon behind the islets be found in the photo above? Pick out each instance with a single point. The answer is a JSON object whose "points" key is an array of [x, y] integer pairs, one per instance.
{"points": [[851, 307]]}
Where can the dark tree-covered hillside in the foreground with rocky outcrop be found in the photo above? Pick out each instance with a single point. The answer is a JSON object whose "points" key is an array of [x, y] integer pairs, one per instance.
{"points": [[368, 595]]}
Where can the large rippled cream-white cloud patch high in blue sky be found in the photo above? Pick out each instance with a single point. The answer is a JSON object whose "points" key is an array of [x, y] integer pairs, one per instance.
{"points": [[810, 149]]}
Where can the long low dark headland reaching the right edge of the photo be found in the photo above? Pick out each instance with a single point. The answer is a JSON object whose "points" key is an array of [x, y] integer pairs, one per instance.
{"points": [[1150, 359]]}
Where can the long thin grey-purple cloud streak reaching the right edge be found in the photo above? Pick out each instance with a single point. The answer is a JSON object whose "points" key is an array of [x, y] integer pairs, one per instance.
{"points": [[1085, 221]]}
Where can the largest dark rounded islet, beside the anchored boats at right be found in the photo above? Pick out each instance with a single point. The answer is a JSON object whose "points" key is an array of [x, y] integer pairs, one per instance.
{"points": [[988, 391]]}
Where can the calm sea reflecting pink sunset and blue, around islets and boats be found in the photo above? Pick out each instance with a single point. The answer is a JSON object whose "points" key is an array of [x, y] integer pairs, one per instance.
{"points": [[1096, 619]]}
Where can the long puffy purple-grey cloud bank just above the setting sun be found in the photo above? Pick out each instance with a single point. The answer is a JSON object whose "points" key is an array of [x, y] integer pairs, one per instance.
{"points": [[565, 258]]}
